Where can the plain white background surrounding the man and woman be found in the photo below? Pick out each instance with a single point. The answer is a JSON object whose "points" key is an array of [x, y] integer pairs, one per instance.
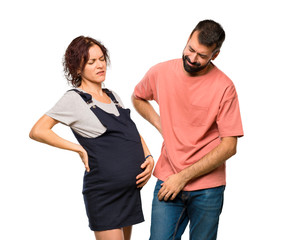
{"points": [[41, 186]]}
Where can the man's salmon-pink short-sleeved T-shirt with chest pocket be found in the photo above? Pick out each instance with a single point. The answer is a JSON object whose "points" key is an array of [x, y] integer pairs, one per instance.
{"points": [[195, 113]]}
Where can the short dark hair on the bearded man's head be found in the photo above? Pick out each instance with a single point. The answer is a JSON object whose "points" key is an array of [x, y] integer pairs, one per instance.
{"points": [[210, 33]]}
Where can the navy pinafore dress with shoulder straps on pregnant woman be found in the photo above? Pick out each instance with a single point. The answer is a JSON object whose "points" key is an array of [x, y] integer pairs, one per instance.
{"points": [[111, 197]]}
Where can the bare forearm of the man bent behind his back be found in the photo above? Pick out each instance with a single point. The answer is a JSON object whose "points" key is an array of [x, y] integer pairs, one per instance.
{"points": [[146, 110]]}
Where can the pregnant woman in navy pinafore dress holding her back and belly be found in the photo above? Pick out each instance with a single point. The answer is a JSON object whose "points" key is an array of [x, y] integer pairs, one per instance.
{"points": [[117, 161]]}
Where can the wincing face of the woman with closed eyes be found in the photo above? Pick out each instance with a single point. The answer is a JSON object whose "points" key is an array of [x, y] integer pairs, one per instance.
{"points": [[95, 68]]}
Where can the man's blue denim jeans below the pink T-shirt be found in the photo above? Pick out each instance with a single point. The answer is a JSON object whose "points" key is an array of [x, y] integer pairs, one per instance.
{"points": [[201, 208]]}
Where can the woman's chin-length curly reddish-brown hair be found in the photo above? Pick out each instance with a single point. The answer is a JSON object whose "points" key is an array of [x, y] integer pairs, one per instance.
{"points": [[76, 57]]}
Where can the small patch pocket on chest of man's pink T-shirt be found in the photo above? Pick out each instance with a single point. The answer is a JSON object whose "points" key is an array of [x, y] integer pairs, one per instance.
{"points": [[198, 115]]}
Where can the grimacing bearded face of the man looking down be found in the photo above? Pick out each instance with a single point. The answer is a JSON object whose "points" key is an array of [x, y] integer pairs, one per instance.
{"points": [[196, 57]]}
